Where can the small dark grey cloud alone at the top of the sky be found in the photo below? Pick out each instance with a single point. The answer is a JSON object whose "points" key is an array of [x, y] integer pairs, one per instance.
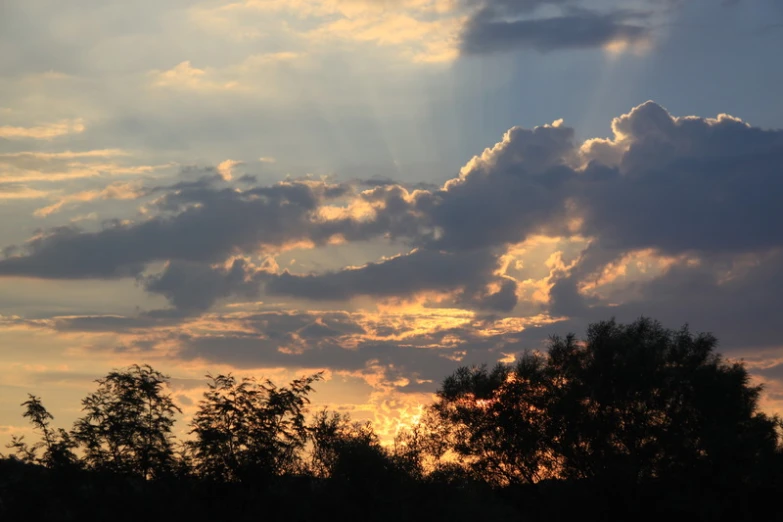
{"points": [[489, 31]]}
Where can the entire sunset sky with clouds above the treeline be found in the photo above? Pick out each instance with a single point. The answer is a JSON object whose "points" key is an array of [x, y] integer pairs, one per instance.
{"points": [[384, 190]]}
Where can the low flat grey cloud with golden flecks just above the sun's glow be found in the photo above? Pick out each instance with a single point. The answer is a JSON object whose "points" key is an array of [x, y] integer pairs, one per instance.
{"points": [[266, 340]]}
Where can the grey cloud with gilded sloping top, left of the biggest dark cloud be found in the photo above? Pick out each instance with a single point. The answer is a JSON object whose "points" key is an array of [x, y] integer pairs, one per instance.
{"points": [[515, 189]]}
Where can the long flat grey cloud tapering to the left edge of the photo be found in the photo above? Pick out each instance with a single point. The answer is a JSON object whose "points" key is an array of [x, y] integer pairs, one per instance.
{"points": [[207, 225]]}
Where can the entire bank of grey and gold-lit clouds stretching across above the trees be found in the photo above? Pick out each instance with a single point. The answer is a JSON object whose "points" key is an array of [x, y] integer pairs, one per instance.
{"points": [[676, 218]]}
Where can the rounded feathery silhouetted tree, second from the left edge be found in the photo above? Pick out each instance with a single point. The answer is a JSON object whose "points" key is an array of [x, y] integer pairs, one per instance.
{"points": [[127, 424]]}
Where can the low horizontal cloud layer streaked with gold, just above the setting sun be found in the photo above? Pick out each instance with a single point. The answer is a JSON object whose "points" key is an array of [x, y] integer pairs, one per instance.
{"points": [[381, 348]]}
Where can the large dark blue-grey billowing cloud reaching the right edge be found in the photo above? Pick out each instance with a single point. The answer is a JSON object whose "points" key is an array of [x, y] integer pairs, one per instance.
{"points": [[687, 184]]}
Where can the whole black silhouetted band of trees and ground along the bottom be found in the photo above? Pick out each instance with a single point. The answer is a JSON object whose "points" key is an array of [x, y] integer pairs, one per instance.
{"points": [[635, 422]]}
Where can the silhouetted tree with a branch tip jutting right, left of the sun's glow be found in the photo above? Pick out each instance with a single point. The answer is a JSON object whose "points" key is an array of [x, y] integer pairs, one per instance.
{"points": [[247, 429]]}
